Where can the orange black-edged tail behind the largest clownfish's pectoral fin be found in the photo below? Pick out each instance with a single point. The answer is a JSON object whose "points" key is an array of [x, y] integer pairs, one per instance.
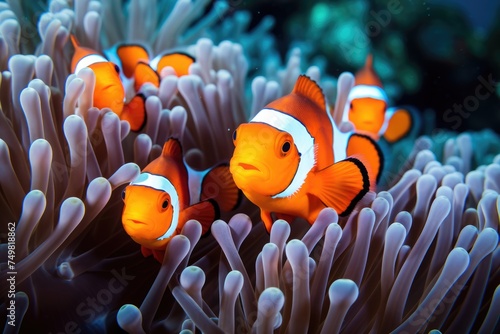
{"points": [[368, 151]]}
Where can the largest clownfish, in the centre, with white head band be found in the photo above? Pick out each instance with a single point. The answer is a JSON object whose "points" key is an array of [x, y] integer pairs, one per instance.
{"points": [[284, 159]]}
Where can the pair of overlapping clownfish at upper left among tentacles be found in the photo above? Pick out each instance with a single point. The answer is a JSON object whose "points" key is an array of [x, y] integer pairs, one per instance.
{"points": [[130, 69]]}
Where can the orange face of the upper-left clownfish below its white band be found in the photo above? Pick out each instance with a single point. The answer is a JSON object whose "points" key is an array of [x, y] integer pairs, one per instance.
{"points": [[108, 91]]}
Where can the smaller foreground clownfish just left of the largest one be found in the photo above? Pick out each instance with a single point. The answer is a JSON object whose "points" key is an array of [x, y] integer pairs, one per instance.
{"points": [[168, 193]]}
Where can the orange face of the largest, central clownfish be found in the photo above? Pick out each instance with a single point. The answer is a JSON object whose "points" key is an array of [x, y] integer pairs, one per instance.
{"points": [[265, 159]]}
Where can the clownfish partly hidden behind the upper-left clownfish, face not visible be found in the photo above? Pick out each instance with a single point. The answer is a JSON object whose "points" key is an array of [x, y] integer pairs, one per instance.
{"points": [[137, 66]]}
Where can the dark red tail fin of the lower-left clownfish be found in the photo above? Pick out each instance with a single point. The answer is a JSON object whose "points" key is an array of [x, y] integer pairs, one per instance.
{"points": [[219, 185]]}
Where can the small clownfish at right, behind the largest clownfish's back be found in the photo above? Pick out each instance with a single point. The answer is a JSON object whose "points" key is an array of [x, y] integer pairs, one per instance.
{"points": [[367, 108]]}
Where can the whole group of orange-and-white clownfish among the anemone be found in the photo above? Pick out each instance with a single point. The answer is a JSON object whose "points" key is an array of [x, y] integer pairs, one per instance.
{"points": [[290, 160]]}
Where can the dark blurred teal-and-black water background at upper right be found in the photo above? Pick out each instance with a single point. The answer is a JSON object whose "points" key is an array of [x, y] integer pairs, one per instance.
{"points": [[431, 53]]}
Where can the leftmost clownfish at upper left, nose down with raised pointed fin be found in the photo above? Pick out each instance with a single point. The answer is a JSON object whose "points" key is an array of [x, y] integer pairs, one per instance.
{"points": [[108, 90]]}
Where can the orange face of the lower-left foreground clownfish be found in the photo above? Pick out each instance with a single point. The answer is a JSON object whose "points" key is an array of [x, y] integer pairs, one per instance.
{"points": [[147, 214]]}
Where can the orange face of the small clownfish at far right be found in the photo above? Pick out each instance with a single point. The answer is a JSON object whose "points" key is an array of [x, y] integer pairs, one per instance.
{"points": [[367, 115]]}
